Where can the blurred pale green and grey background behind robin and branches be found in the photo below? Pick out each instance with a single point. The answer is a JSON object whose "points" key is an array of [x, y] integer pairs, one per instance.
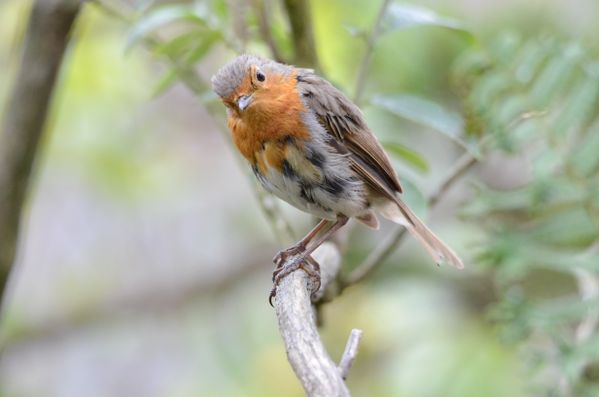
{"points": [[145, 259]]}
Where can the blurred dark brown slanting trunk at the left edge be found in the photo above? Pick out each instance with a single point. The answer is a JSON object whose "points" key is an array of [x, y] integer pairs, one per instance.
{"points": [[25, 115]]}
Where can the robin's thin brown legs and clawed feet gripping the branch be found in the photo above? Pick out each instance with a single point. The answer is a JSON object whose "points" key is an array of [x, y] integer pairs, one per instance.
{"points": [[302, 259]]}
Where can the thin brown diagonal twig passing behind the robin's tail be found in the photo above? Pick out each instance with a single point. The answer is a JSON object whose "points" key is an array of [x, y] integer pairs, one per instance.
{"points": [[376, 257]]}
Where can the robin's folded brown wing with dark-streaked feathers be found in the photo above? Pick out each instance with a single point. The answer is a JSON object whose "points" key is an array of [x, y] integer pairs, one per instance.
{"points": [[344, 121]]}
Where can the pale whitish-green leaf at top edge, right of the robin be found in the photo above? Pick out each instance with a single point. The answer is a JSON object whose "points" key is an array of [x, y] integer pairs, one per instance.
{"points": [[405, 16]]}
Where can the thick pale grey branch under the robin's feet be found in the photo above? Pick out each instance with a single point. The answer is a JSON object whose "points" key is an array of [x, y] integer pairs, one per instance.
{"points": [[310, 361]]}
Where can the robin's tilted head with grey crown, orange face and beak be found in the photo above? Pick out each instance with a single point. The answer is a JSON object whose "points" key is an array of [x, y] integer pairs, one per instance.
{"points": [[250, 86]]}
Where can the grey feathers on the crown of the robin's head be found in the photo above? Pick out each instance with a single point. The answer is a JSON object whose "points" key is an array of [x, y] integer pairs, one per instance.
{"points": [[230, 76]]}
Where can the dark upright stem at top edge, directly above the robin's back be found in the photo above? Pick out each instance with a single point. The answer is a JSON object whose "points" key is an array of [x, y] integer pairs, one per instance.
{"points": [[302, 32]]}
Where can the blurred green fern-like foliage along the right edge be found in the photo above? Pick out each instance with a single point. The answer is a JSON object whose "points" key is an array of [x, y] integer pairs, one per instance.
{"points": [[538, 99]]}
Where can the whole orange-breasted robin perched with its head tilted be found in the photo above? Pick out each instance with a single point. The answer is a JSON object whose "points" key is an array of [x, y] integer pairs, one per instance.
{"points": [[308, 144]]}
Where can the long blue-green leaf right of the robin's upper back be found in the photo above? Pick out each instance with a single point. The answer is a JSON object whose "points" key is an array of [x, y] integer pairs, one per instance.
{"points": [[425, 112]]}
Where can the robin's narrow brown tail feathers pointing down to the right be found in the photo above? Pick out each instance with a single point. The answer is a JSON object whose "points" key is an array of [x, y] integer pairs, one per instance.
{"points": [[398, 212]]}
